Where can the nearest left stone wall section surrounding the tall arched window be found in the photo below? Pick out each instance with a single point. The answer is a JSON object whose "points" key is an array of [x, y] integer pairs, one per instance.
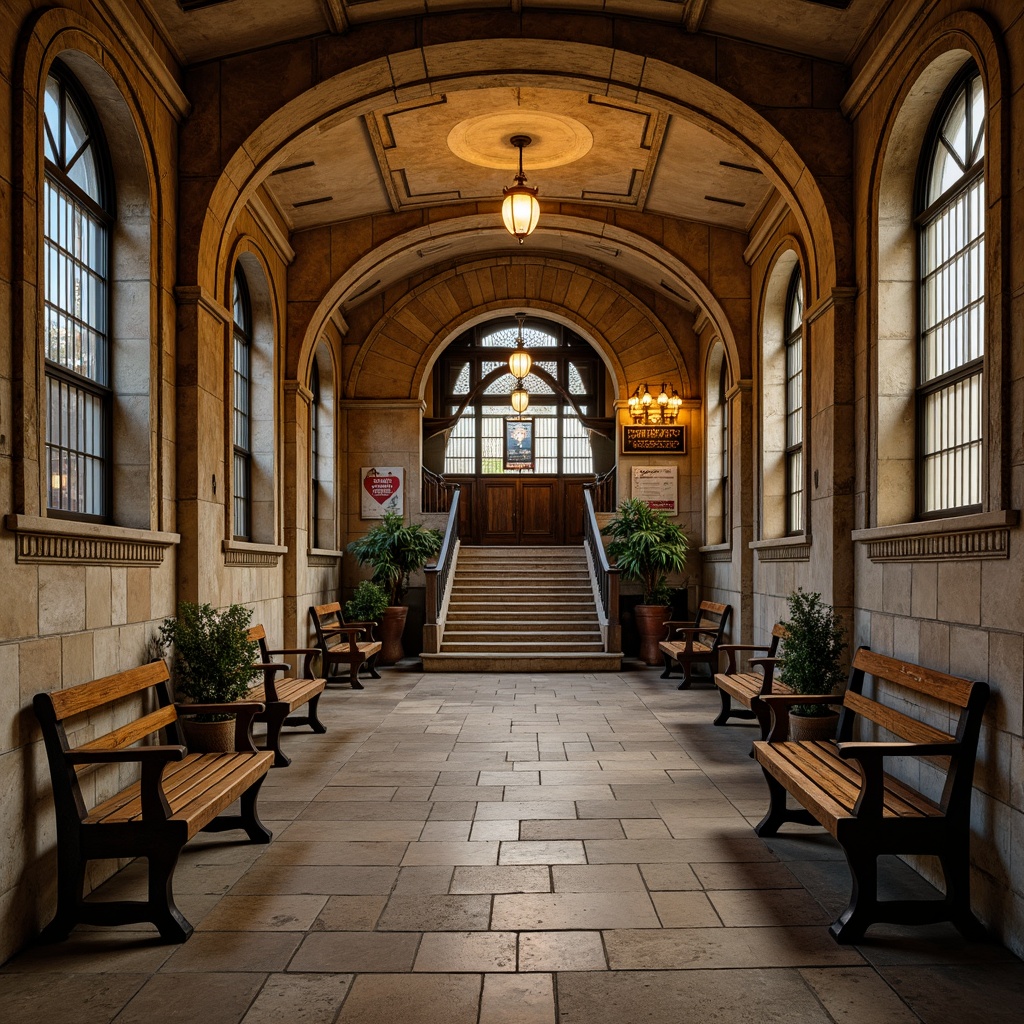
{"points": [[81, 601]]}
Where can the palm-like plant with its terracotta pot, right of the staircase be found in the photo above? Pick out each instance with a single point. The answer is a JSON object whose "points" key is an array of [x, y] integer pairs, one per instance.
{"points": [[648, 546]]}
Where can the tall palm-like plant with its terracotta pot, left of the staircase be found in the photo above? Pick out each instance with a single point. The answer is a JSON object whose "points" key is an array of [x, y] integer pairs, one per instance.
{"points": [[396, 551]]}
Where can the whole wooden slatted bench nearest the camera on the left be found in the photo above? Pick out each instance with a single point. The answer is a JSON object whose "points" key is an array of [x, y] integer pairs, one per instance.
{"points": [[179, 795]]}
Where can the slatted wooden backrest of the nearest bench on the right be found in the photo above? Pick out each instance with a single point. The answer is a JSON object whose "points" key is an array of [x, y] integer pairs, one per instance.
{"points": [[966, 704]]}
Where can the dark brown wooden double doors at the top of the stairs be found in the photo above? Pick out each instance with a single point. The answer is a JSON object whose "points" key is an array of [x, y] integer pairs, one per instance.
{"points": [[522, 510]]}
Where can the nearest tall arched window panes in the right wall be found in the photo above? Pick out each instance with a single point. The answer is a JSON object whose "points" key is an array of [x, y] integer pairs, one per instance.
{"points": [[952, 350]]}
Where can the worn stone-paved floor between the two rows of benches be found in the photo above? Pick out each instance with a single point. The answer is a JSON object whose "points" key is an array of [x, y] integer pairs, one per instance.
{"points": [[515, 850]]}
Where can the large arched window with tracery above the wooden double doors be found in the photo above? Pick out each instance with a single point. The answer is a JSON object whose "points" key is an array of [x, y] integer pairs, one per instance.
{"points": [[568, 380]]}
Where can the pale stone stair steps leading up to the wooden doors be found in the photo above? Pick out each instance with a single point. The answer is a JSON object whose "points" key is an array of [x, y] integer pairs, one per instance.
{"points": [[522, 610]]}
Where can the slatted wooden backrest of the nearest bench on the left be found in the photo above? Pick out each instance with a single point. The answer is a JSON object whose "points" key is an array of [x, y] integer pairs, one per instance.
{"points": [[149, 682]]}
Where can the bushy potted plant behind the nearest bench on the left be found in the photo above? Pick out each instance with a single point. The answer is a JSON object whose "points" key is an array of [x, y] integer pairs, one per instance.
{"points": [[214, 662]]}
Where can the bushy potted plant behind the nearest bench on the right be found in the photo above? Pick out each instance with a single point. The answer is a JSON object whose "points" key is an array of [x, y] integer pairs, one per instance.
{"points": [[812, 663]]}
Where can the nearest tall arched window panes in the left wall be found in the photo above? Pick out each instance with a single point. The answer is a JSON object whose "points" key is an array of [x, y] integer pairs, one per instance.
{"points": [[78, 223]]}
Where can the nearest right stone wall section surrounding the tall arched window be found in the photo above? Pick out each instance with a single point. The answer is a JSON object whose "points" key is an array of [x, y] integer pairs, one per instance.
{"points": [[962, 611]]}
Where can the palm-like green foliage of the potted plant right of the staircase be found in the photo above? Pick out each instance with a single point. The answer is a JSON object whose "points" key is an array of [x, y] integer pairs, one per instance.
{"points": [[648, 546]]}
